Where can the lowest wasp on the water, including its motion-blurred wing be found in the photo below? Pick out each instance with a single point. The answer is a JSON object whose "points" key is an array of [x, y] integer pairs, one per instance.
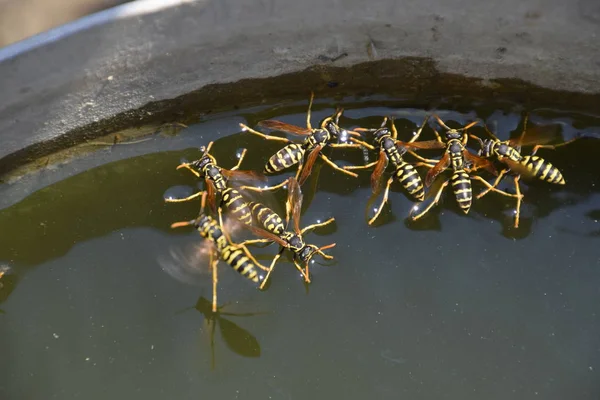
{"points": [[217, 245]]}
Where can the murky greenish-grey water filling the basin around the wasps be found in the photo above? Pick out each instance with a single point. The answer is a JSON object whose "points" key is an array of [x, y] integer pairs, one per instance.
{"points": [[448, 307]]}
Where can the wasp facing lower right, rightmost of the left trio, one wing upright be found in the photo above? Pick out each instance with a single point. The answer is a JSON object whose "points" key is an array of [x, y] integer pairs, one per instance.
{"points": [[275, 231]]}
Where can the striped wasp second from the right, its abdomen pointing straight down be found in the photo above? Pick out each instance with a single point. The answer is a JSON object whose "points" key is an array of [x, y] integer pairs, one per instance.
{"points": [[459, 158]]}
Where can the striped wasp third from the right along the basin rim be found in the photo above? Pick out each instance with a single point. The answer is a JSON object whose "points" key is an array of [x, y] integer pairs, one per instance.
{"points": [[391, 151]]}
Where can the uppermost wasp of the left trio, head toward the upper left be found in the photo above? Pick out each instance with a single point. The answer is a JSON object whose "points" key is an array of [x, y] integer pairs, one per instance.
{"points": [[216, 179]]}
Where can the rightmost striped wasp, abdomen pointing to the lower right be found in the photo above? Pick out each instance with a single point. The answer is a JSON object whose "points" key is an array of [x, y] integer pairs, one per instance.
{"points": [[508, 152]]}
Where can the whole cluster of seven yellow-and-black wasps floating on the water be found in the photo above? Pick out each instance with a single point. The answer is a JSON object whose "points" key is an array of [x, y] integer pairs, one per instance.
{"points": [[220, 194]]}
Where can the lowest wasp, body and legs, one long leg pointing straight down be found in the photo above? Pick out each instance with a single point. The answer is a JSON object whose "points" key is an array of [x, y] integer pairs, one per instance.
{"points": [[219, 246]]}
